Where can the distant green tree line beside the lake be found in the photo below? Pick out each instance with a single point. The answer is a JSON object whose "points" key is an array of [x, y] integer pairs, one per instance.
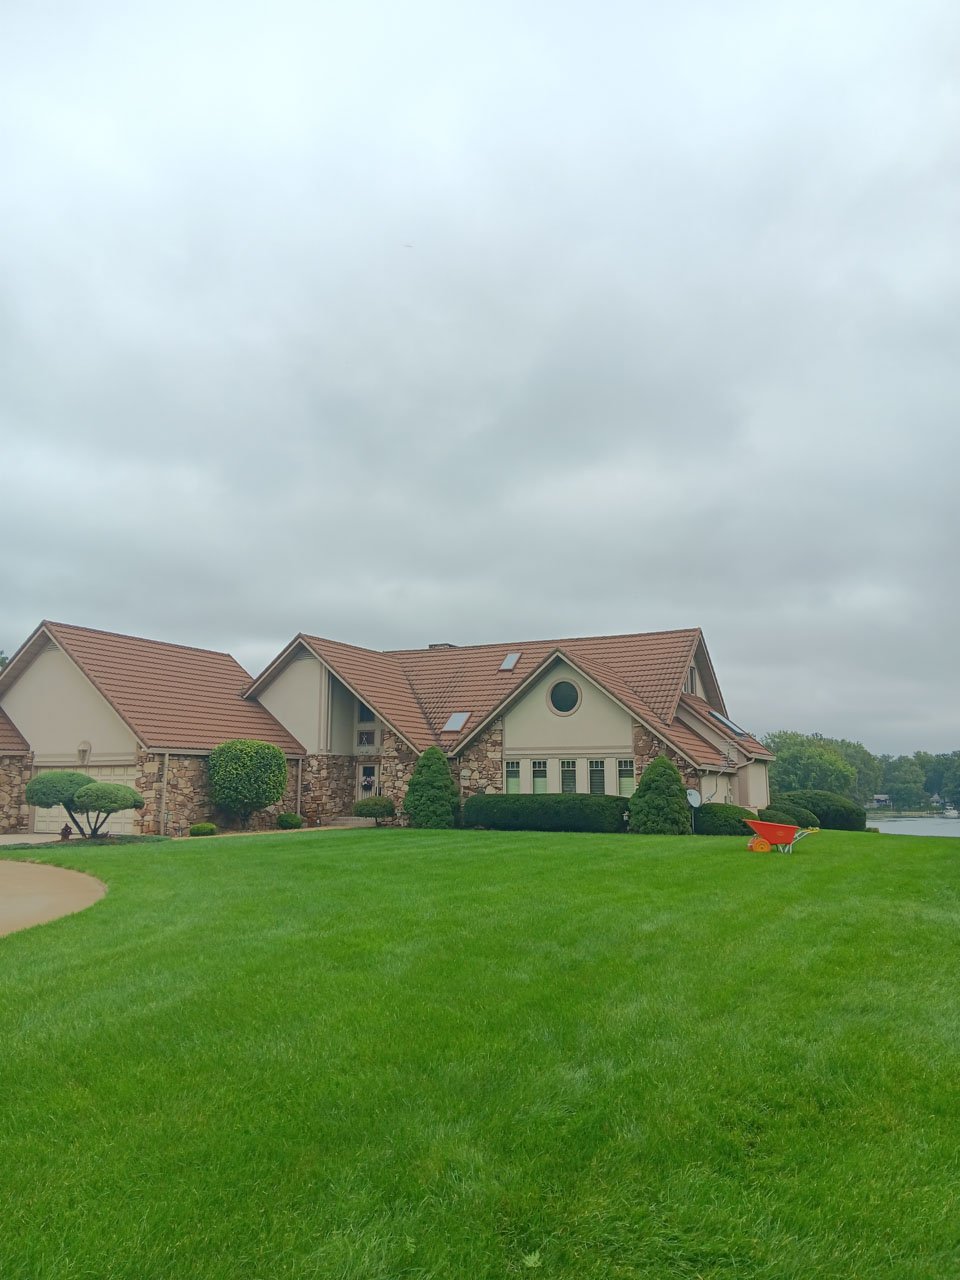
{"points": [[811, 761]]}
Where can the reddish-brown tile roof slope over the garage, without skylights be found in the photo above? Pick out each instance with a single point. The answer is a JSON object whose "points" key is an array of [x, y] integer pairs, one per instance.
{"points": [[171, 696]]}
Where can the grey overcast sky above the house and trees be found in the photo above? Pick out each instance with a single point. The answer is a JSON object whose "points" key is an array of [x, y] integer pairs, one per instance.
{"points": [[401, 323]]}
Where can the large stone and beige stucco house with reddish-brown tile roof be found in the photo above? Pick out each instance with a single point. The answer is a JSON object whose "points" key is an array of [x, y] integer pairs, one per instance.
{"points": [[584, 715]]}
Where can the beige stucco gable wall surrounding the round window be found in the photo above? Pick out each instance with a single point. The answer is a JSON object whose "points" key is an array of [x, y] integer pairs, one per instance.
{"points": [[598, 728]]}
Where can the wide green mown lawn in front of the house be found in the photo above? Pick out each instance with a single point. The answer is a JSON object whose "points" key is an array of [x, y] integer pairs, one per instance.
{"points": [[395, 1054]]}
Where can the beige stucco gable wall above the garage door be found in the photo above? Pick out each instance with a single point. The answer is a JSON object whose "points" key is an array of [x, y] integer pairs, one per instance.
{"points": [[57, 708]]}
